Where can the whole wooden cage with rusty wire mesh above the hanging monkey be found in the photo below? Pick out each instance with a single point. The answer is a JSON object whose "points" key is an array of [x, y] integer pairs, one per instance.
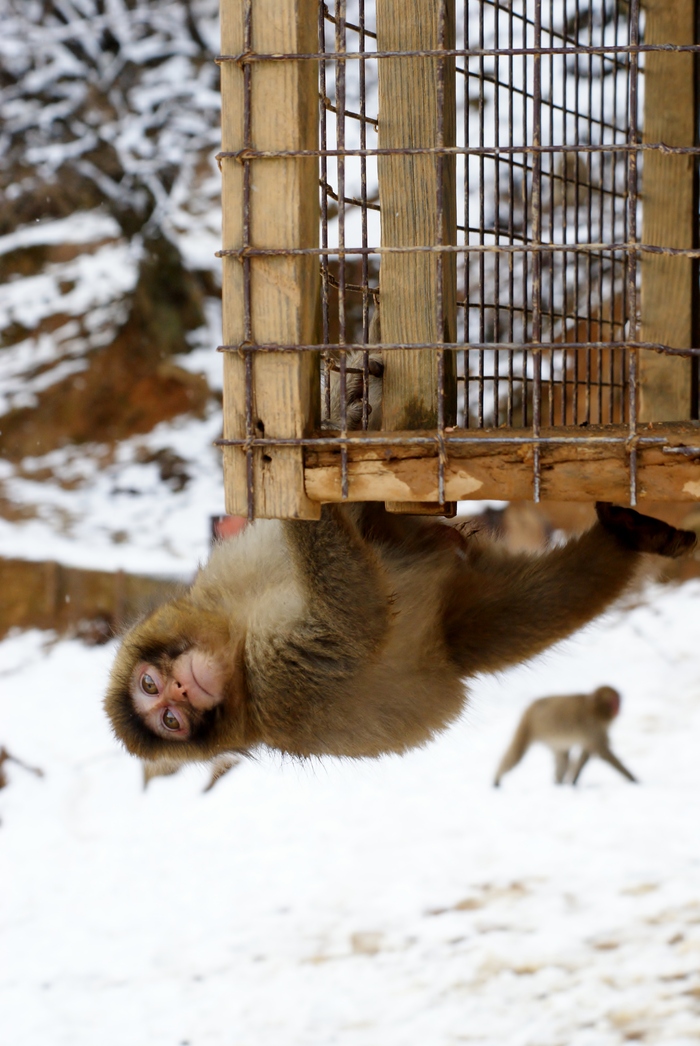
{"points": [[470, 211]]}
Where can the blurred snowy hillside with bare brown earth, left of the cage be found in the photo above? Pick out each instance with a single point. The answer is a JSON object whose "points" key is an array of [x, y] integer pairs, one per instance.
{"points": [[109, 124]]}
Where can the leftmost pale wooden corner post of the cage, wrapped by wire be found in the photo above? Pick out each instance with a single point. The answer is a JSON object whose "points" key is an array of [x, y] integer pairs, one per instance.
{"points": [[273, 106]]}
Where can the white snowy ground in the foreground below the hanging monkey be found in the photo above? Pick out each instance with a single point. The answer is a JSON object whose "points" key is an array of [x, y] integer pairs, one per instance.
{"points": [[398, 902]]}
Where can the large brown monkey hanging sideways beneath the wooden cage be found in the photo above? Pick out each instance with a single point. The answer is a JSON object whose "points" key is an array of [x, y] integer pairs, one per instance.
{"points": [[354, 635]]}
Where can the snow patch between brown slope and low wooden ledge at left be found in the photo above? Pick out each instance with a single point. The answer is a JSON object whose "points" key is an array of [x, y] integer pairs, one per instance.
{"points": [[119, 514]]}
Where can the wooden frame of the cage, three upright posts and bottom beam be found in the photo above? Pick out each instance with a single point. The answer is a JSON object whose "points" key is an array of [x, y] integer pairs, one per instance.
{"points": [[277, 463]]}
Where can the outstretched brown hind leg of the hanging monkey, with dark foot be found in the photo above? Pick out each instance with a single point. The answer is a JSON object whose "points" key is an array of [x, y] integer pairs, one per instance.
{"points": [[510, 608]]}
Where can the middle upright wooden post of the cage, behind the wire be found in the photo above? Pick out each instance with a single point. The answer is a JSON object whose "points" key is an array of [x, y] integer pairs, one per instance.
{"points": [[412, 93]]}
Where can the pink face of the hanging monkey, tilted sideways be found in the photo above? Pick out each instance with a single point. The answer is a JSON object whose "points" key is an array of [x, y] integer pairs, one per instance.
{"points": [[173, 698]]}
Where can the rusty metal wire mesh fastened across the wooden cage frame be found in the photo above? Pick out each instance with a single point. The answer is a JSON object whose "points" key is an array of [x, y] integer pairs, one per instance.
{"points": [[548, 157]]}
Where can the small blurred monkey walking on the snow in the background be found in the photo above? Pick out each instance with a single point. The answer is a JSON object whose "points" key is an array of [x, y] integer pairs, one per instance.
{"points": [[581, 720]]}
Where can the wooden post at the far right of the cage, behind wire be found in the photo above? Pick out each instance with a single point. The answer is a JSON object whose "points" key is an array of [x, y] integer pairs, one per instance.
{"points": [[669, 216]]}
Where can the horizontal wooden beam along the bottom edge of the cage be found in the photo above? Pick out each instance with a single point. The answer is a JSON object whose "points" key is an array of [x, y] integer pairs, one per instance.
{"points": [[504, 470]]}
